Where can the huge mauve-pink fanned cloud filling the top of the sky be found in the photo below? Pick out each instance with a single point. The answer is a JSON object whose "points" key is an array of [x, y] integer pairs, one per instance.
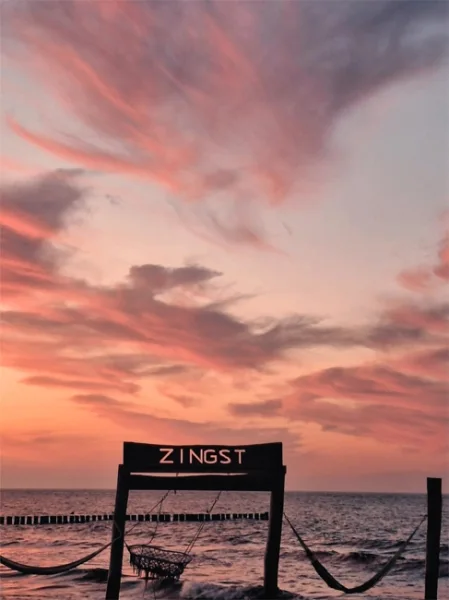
{"points": [[234, 103]]}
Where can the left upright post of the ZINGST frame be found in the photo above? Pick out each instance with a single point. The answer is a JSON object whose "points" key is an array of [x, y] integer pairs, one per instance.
{"points": [[118, 533]]}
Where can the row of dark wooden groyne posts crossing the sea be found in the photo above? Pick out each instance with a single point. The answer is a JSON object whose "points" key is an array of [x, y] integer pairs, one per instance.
{"points": [[163, 517]]}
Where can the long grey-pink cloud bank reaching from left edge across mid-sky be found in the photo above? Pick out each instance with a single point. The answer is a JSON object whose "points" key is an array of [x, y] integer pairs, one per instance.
{"points": [[158, 320]]}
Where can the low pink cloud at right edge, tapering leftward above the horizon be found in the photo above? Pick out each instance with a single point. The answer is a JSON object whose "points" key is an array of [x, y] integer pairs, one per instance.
{"points": [[375, 401]]}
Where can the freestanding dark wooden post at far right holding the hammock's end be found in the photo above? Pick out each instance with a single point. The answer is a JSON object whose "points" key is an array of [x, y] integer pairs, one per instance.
{"points": [[434, 510]]}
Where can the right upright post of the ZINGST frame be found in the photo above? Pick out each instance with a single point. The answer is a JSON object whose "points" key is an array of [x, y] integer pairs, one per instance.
{"points": [[274, 539]]}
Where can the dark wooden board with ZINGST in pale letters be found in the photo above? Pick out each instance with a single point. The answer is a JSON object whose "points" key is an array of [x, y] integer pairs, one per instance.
{"points": [[151, 458]]}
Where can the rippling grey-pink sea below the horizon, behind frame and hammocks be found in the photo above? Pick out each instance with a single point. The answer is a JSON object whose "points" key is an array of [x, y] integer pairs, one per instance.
{"points": [[353, 535]]}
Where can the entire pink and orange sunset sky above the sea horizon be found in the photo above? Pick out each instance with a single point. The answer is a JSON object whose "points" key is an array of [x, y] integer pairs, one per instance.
{"points": [[225, 223]]}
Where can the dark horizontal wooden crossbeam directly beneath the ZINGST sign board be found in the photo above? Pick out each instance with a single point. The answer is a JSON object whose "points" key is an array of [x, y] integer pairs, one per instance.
{"points": [[263, 482]]}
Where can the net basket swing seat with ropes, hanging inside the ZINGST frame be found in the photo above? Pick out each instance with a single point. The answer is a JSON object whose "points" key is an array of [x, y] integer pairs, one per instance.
{"points": [[155, 562]]}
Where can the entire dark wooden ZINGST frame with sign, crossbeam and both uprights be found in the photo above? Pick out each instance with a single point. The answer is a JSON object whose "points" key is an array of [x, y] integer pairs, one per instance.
{"points": [[255, 468]]}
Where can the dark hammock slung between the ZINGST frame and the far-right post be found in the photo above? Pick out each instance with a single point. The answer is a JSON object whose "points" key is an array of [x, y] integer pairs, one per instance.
{"points": [[336, 585]]}
